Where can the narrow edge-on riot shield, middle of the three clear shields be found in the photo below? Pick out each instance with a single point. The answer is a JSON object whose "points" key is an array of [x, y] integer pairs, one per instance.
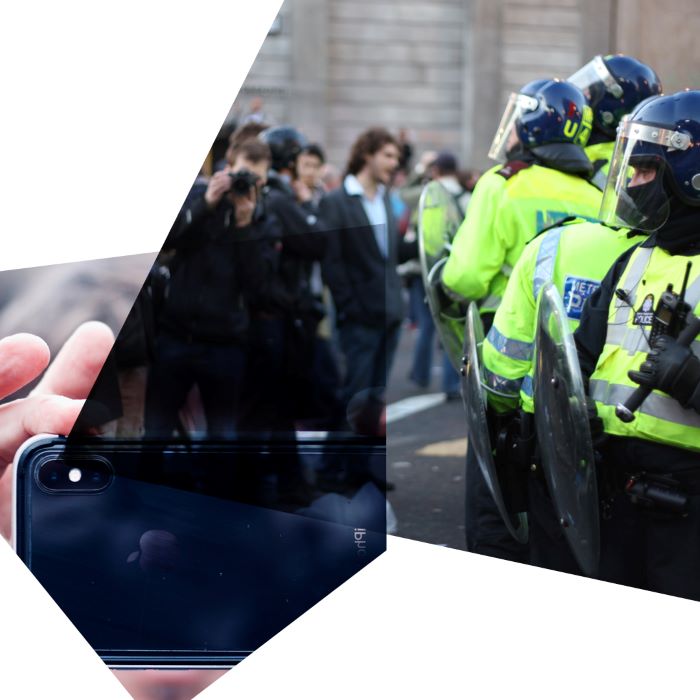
{"points": [[474, 396]]}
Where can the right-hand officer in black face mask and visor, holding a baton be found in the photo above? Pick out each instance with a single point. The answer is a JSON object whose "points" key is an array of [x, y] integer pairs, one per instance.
{"points": [[650, 471]]}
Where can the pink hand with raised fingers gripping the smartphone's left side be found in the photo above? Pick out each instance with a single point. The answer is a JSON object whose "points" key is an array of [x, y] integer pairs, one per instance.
{"points": [[55, 404]]}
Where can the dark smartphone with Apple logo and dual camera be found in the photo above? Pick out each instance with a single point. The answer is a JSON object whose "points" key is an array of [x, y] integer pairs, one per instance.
{"points": [[194, 554]]}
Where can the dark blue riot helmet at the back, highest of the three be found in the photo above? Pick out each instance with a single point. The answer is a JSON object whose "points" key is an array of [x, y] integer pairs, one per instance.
{"points": [[614, 86]]}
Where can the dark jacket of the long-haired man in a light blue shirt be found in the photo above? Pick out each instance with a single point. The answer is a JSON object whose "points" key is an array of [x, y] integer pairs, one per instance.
{"points": [[365, 285]]}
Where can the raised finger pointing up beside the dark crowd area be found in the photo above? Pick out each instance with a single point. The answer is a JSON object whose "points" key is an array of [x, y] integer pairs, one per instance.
{"points": [[77, 365]]}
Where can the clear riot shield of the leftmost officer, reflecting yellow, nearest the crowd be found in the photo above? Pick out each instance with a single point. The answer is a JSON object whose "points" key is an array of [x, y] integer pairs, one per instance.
{"points": [[439, 218]]}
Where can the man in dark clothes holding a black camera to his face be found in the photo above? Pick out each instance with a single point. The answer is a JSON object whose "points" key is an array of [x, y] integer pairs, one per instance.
{"points": [[219, 267]]}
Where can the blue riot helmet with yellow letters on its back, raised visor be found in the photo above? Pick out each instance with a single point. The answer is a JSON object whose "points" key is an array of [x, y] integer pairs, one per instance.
{"points": [[543, 112]]}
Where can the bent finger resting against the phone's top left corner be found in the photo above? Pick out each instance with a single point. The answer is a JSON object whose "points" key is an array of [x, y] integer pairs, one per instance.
{"points": [[21, 419]]}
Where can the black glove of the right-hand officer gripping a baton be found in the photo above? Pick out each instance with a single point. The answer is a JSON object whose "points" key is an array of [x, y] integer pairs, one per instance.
{"points": [[673, 369]]}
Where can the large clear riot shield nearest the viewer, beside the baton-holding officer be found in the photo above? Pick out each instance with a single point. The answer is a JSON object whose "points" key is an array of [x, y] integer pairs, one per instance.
{"points": [[564, 436]]}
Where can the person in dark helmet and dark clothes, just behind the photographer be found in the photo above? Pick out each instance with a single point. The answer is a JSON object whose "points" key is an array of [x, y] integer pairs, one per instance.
{"points": [[286, 314]]}
